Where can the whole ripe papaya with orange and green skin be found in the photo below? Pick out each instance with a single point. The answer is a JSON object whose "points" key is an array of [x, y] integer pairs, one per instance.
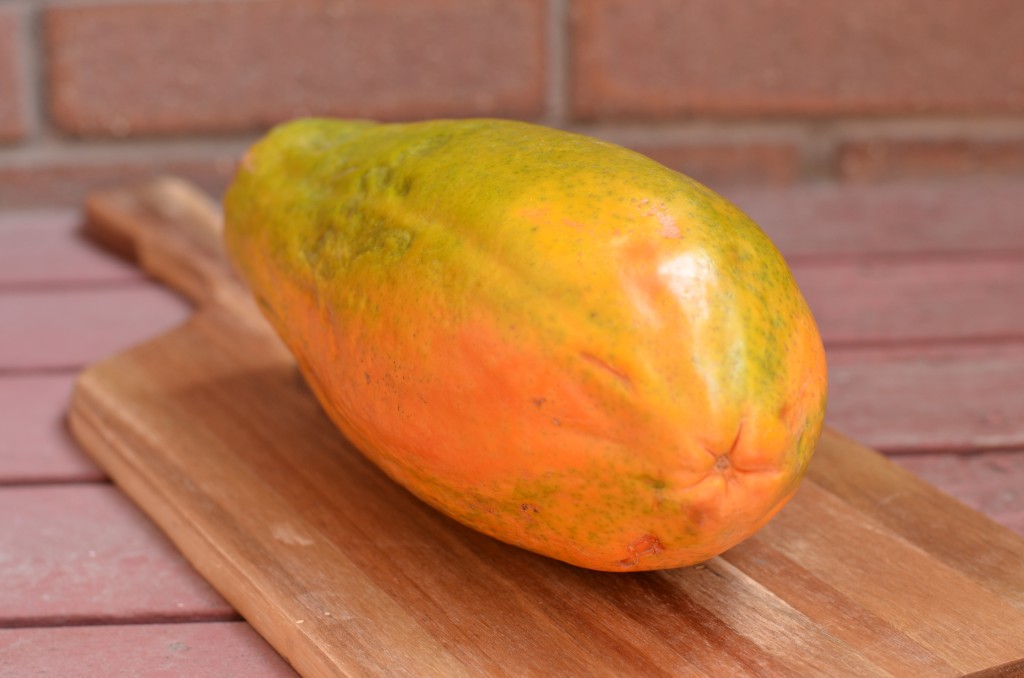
{"points": [[552, 340]]}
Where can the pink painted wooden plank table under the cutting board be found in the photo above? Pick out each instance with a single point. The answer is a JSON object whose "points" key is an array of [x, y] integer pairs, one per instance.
{"points": [[919, 292]]}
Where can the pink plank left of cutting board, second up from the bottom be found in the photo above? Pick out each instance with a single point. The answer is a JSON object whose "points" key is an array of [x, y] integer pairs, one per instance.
{"points": [[82, 554]]}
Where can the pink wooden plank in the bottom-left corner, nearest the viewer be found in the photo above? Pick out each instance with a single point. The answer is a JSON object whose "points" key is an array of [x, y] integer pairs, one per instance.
{"points": [[199, 651]]}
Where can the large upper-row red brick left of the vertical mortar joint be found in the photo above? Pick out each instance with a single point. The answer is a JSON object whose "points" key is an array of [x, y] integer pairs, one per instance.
{"points": [[216, 67]]}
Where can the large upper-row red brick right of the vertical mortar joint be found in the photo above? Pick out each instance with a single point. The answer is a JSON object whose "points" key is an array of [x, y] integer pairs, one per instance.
{"points": [[657, 59]]}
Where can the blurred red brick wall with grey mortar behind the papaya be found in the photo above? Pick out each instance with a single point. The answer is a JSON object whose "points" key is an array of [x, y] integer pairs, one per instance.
{"points": [[765, 92]]}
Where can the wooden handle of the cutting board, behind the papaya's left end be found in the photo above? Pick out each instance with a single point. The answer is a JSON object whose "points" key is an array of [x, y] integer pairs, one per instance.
{"points": [[174, 232]]}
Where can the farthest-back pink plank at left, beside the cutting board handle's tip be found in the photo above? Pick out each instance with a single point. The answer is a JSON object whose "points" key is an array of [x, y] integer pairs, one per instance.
{"points": [[45, 248]]}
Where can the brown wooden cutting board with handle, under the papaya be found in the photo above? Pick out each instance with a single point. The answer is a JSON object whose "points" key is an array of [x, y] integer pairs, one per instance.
{"points": [[211, 431]]}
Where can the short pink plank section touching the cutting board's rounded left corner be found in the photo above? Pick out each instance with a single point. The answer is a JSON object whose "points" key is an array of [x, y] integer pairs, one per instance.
{"points": [[35, 446]]}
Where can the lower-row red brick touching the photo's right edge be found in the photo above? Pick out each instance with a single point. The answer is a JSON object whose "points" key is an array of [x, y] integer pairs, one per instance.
{"points": [[887, 160]]}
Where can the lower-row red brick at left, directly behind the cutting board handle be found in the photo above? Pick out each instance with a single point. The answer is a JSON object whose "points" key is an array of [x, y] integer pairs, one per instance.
{"points": [[66, 183]]}
